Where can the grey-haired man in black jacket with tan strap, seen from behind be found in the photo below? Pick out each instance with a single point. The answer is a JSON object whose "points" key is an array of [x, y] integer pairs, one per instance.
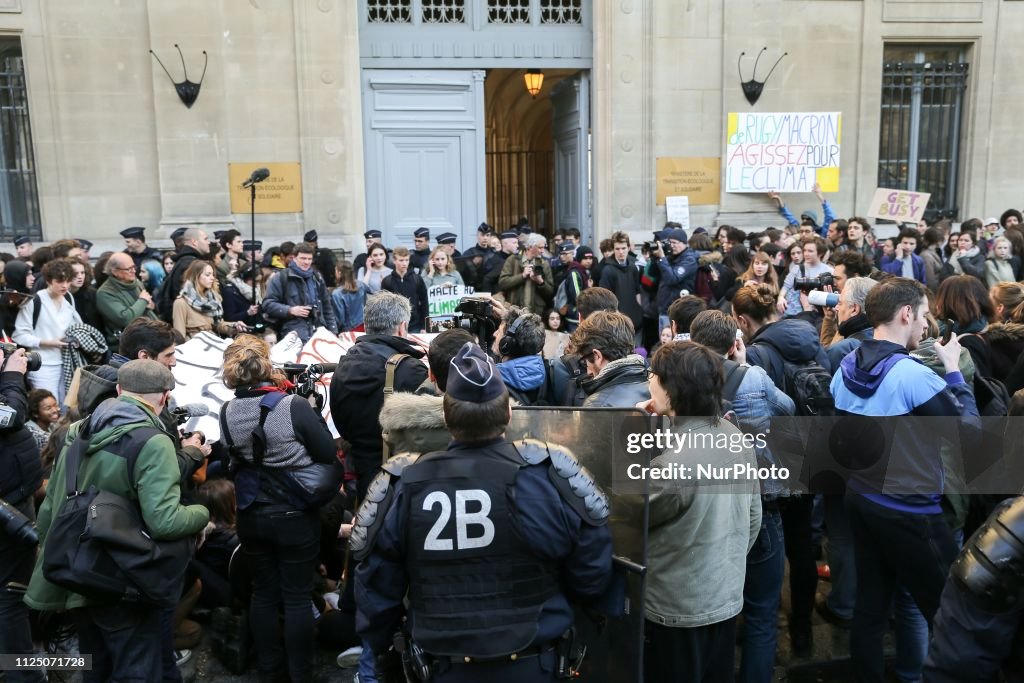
{"points": [[360, 382]]}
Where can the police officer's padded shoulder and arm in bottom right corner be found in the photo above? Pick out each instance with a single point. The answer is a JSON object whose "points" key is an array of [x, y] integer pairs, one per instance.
{"points": [[978, 632]]}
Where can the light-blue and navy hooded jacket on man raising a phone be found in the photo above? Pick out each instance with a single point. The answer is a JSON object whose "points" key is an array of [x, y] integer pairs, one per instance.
{"points": [[881, 379]]}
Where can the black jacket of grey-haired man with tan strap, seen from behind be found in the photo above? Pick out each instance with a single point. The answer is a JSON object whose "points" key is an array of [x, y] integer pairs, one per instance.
{"points": [[358, 395]]}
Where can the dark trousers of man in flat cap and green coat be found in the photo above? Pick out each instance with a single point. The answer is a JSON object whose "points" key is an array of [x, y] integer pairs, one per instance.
{"points": [[125, 643]]}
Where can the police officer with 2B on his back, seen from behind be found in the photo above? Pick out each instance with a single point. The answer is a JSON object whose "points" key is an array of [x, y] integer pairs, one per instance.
{"points": [[490, 540]]}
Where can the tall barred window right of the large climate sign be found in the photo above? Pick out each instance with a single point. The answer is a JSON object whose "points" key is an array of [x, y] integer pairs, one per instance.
{"points": [[922, 110]]}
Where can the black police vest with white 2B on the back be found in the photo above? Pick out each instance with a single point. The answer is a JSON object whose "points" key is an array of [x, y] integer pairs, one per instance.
{"points": [[476, 588]]}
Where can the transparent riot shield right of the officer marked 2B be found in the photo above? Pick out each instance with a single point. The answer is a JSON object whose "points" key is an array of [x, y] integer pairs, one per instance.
{"points": [[599, 439]]}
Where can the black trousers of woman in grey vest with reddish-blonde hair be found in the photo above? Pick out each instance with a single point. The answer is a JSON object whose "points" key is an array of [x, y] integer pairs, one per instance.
{"points": [[283, 549]]}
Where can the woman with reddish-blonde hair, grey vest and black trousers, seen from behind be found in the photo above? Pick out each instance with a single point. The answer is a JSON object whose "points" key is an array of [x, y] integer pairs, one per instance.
{"points": [[286, 467]]}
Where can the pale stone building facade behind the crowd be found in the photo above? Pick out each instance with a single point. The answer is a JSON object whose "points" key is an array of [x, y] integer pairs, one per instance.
{"points": [[113, 146]]}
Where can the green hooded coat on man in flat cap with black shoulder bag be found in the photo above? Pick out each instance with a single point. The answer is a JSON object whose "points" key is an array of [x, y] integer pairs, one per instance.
{"points": [[156, 488]]}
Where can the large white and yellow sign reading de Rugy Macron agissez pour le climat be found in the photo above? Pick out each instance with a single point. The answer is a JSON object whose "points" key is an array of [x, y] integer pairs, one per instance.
{"points": [[785, 152]]}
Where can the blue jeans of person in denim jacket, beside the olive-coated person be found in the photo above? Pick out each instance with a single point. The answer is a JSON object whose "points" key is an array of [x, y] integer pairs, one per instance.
{"points": [[762, 592]]}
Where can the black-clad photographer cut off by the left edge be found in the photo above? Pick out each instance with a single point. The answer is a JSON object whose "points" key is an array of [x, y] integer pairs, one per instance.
{"points": [[21, 476]]}
